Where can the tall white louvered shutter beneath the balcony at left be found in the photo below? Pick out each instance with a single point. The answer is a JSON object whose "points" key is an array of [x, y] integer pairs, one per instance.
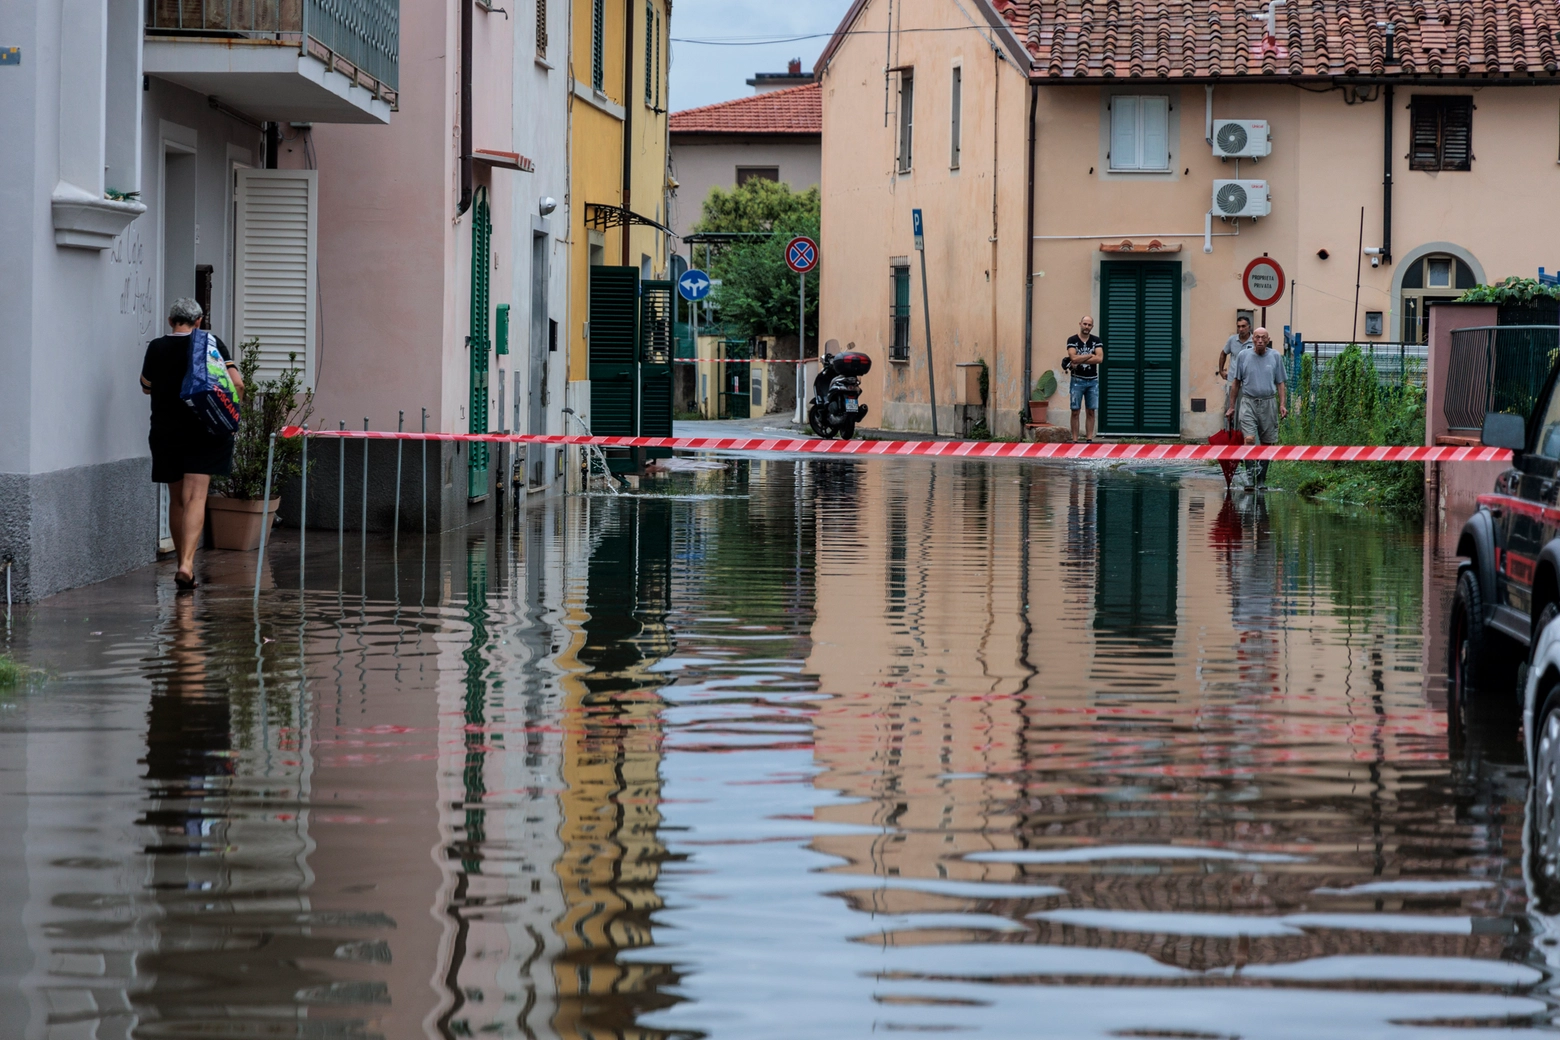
{"points": [[274, 272]]}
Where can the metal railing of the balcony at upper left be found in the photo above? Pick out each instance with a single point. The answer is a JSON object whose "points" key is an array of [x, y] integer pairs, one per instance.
{"points": [[361, 35]]}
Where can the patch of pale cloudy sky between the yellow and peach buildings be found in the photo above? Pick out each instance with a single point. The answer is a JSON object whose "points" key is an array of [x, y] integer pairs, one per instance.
{"points": [[704, 76]]}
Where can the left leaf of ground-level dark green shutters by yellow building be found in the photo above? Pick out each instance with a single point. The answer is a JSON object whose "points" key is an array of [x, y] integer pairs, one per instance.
{"points": [[614, 350]]}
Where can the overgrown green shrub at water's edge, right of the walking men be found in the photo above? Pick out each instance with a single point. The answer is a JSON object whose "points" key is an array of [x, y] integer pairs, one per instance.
{"points": [[1352, 406]]}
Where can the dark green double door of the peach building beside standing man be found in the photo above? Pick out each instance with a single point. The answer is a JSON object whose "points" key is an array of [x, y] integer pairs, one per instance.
{"points": [[1141, 328]]}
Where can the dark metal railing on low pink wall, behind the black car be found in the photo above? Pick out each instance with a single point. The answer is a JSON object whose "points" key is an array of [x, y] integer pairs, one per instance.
{"points": [[1497, 369]]}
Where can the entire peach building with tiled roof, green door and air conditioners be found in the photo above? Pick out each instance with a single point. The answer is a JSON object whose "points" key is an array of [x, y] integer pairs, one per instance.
{"points": [[1133, 163]]}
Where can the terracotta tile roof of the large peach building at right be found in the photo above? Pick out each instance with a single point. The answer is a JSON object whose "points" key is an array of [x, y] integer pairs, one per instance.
{"points": [[1314, 38]]}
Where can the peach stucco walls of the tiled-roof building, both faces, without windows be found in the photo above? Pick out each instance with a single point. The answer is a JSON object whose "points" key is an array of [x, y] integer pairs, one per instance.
{"points": [[1327, 168]]}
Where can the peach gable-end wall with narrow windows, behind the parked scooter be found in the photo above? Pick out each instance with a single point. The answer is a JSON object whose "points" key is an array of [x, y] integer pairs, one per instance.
{"points": [[974, 214]]}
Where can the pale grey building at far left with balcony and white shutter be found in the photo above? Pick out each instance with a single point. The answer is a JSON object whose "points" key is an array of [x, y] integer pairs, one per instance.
{"points": [[144, 168]]}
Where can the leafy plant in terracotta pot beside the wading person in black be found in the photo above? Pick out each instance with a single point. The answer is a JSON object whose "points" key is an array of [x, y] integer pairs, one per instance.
{"points": [[236, 508]]}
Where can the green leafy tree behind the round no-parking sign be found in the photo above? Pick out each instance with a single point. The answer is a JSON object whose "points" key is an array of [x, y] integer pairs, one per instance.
{"points": [[759, 292]]}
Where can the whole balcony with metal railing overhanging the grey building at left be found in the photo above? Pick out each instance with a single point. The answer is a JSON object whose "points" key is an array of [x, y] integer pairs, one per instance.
{"points": [[289, 62]]}
